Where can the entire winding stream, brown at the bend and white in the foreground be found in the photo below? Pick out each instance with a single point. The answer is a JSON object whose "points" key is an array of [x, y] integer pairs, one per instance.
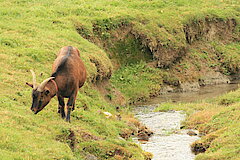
{"points": [[169, 142]]}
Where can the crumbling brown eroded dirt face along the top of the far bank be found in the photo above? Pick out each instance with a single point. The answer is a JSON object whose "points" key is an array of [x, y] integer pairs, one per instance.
{"points": [[164, 51]]}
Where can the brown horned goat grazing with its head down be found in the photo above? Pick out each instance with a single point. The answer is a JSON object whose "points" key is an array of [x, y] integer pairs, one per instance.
{"points": [[68, 75]]}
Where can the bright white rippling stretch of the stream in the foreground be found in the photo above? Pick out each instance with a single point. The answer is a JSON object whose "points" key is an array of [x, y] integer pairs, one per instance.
{"points": [[168, 141]]}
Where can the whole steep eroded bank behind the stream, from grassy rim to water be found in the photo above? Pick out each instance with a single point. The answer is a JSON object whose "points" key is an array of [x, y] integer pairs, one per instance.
{"points": [[206, 53]]}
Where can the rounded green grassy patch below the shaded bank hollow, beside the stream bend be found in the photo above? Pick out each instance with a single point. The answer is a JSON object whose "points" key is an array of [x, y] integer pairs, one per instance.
{"points": [[138, 81]]}
